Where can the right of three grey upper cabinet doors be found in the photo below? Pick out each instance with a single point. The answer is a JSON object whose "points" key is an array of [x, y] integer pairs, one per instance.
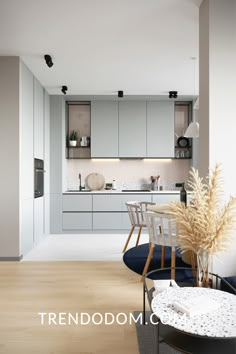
{"points": [[160, 129]]}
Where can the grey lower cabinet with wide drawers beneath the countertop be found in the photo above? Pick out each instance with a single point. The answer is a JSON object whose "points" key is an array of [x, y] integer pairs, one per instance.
{"points": [[103, 211]]}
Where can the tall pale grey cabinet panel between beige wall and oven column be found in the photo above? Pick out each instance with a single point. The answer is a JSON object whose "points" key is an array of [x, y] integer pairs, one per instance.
{"points": [[26, 159]]}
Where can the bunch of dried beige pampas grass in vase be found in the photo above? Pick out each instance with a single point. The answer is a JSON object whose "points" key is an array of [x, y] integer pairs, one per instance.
{"points": [[206, 225]]}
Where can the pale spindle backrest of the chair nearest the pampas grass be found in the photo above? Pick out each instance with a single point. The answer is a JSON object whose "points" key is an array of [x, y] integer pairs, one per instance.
{"points": [[161, 228]]}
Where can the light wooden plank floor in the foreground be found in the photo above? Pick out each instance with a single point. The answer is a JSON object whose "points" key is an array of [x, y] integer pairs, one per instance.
{"points": [[27, 288]]}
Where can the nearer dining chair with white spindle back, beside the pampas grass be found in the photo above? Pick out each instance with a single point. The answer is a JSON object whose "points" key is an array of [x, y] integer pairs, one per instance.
{"points": [[162, 232]]}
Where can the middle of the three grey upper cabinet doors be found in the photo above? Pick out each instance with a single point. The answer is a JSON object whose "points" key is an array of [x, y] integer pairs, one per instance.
{"points": [[132, 129]]}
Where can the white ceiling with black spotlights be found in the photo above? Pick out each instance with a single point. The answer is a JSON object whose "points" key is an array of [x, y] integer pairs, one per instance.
{"points": [[144, 47]]}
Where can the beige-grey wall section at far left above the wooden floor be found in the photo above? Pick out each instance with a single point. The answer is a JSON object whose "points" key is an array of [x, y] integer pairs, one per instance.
{"points": [[9, 157]]}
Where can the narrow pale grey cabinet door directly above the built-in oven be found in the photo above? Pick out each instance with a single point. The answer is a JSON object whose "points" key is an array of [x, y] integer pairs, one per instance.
{"points": [[38, 120]]}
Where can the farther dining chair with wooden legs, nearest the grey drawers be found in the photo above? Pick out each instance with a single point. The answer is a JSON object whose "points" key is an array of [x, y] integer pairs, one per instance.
{"points": [[136, 212]]}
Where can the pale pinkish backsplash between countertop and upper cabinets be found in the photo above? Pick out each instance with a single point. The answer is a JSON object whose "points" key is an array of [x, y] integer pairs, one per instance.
{"points": [[128, 174]]}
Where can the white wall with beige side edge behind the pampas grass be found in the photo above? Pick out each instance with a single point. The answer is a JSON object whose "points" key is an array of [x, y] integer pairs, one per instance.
{"points": [[217, 101]]}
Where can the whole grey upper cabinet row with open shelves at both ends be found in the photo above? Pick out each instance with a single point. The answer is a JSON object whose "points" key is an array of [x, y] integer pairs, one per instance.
{"points": [[127, 129]]}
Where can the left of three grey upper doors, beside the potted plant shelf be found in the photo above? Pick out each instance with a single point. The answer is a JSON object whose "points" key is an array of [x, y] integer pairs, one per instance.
{"points": [[104, 129]]}
